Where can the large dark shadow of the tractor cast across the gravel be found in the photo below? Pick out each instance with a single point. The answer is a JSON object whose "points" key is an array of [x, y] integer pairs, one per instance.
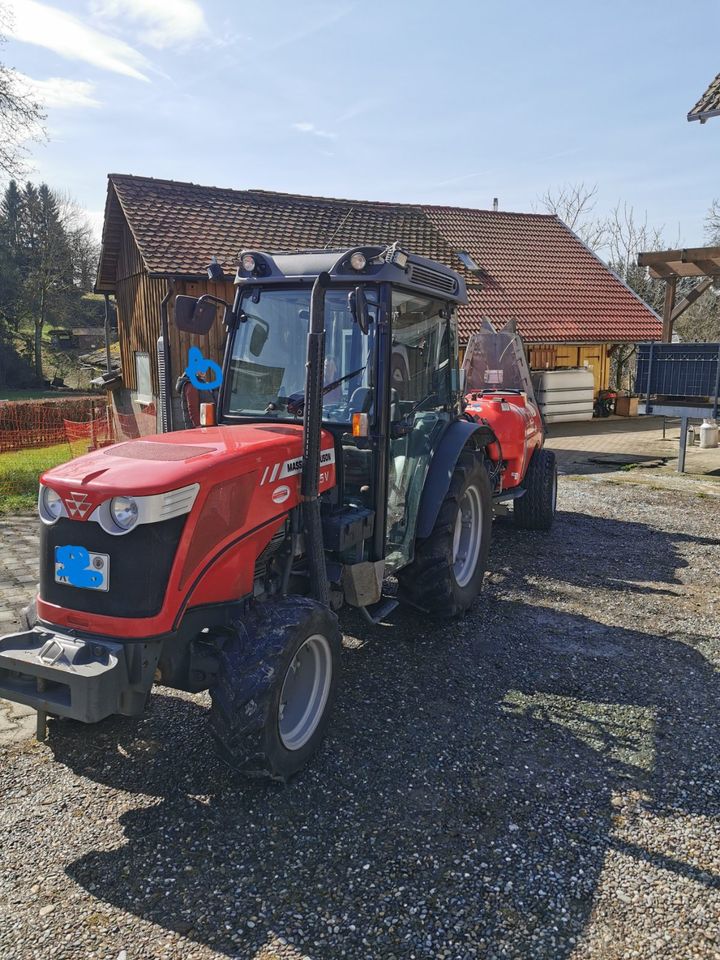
{"points": [[462, 802]]}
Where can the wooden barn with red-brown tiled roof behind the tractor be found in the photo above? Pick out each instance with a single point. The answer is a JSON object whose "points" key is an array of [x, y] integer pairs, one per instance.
{"points": [[159, 236]]}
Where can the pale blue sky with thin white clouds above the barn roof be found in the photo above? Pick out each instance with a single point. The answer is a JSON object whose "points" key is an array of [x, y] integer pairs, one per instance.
{"points": [[454, 102]]}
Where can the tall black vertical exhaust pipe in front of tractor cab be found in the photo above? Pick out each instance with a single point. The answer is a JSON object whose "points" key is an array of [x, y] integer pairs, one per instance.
{"points": [[312, 430]]}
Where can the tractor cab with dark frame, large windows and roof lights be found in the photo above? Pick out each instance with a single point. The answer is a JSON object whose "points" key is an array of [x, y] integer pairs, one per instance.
{"points": [[388, 375]]}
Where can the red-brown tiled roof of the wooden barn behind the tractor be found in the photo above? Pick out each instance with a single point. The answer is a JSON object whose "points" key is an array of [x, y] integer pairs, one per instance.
{"points": [[534, 268]]}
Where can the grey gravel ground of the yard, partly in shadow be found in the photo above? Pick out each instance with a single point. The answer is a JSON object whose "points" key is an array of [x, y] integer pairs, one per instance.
{"points": [[539, 780]]}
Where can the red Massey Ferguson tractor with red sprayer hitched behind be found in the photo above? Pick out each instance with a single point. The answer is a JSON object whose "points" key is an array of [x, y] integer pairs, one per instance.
{"points": [[215, 558]]}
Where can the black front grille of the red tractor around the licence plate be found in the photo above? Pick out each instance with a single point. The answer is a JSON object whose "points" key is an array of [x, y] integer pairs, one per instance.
{"points": [[140, 564]]}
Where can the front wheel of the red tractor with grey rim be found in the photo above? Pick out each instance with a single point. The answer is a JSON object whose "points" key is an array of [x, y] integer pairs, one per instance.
{"points": [[275, 688]]}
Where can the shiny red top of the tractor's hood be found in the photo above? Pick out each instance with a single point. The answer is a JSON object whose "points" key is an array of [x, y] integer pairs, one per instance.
{"points": [[164, 462]]}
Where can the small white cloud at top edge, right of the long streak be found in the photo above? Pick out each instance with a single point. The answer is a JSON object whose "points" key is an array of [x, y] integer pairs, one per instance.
{"points": [[161, 23]]}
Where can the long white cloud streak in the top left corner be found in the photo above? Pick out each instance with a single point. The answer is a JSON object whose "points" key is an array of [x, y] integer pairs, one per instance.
{"points": [[66, 35]]}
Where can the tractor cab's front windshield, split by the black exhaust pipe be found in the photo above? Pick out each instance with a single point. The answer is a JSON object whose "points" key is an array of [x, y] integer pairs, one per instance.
{"points": [[267, 363]]}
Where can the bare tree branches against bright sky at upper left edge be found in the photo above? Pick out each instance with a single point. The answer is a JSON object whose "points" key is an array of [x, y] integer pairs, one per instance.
{"points": [[20, 115]]}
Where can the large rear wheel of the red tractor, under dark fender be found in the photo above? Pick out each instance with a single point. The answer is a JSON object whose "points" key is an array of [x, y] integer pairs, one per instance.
{"points": [[449, 566]]}
